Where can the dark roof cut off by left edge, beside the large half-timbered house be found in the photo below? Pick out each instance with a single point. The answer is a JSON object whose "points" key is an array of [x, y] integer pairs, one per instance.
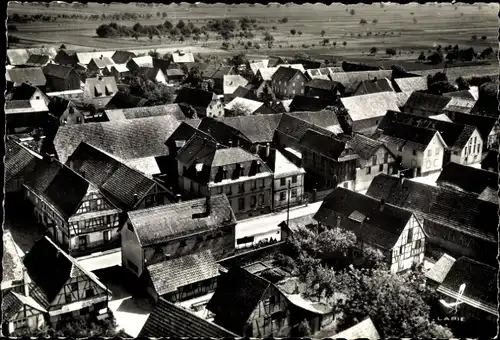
{"points": [[17, 159]]}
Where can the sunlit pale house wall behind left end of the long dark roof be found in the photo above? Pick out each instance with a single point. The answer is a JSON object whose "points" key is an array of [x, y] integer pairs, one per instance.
{"points": [[368, 169]]}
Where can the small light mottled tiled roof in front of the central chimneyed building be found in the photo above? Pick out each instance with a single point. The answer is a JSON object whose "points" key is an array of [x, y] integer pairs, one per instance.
{"points": [[169, 275]]}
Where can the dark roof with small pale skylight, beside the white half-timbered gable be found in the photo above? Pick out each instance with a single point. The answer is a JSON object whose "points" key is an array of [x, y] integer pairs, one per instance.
{"points": [[380, 223]]}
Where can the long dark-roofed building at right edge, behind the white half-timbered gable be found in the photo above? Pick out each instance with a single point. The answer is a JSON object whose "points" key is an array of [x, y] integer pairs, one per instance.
{"points": [[454, 222]]}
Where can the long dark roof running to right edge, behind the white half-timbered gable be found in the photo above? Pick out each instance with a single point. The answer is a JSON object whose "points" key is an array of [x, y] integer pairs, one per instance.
{"points": [[457, 210]]}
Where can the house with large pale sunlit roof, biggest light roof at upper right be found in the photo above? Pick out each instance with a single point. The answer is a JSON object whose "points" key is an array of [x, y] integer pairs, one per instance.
{"points": [[365, 112]]}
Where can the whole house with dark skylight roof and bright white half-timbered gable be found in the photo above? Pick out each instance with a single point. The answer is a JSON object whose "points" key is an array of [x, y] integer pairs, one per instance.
{"points": [[394, 231]]}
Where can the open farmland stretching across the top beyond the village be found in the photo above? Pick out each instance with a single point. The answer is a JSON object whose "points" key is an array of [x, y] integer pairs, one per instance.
{"points": [[435, 25]]}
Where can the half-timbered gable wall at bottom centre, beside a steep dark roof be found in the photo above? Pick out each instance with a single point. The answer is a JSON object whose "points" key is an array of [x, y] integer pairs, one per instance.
{"points": [[270, 317]]}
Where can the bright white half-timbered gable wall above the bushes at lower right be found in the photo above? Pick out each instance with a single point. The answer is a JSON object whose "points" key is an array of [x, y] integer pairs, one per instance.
{"points": [[408, 251]]}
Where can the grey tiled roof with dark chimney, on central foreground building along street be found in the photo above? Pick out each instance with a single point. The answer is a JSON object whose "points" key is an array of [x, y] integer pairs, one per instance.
{"points": [[160, 224]]}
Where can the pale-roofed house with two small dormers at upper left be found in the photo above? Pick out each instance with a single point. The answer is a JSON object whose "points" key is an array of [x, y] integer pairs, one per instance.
{"points": [[99, 91]]}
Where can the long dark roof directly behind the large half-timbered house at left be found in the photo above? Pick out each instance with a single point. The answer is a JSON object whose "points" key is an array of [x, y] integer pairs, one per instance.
{"points": [[113, 178]]}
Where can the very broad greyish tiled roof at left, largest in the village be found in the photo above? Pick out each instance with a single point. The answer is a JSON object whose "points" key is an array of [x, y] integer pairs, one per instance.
{"points": [[127, 139]]}
